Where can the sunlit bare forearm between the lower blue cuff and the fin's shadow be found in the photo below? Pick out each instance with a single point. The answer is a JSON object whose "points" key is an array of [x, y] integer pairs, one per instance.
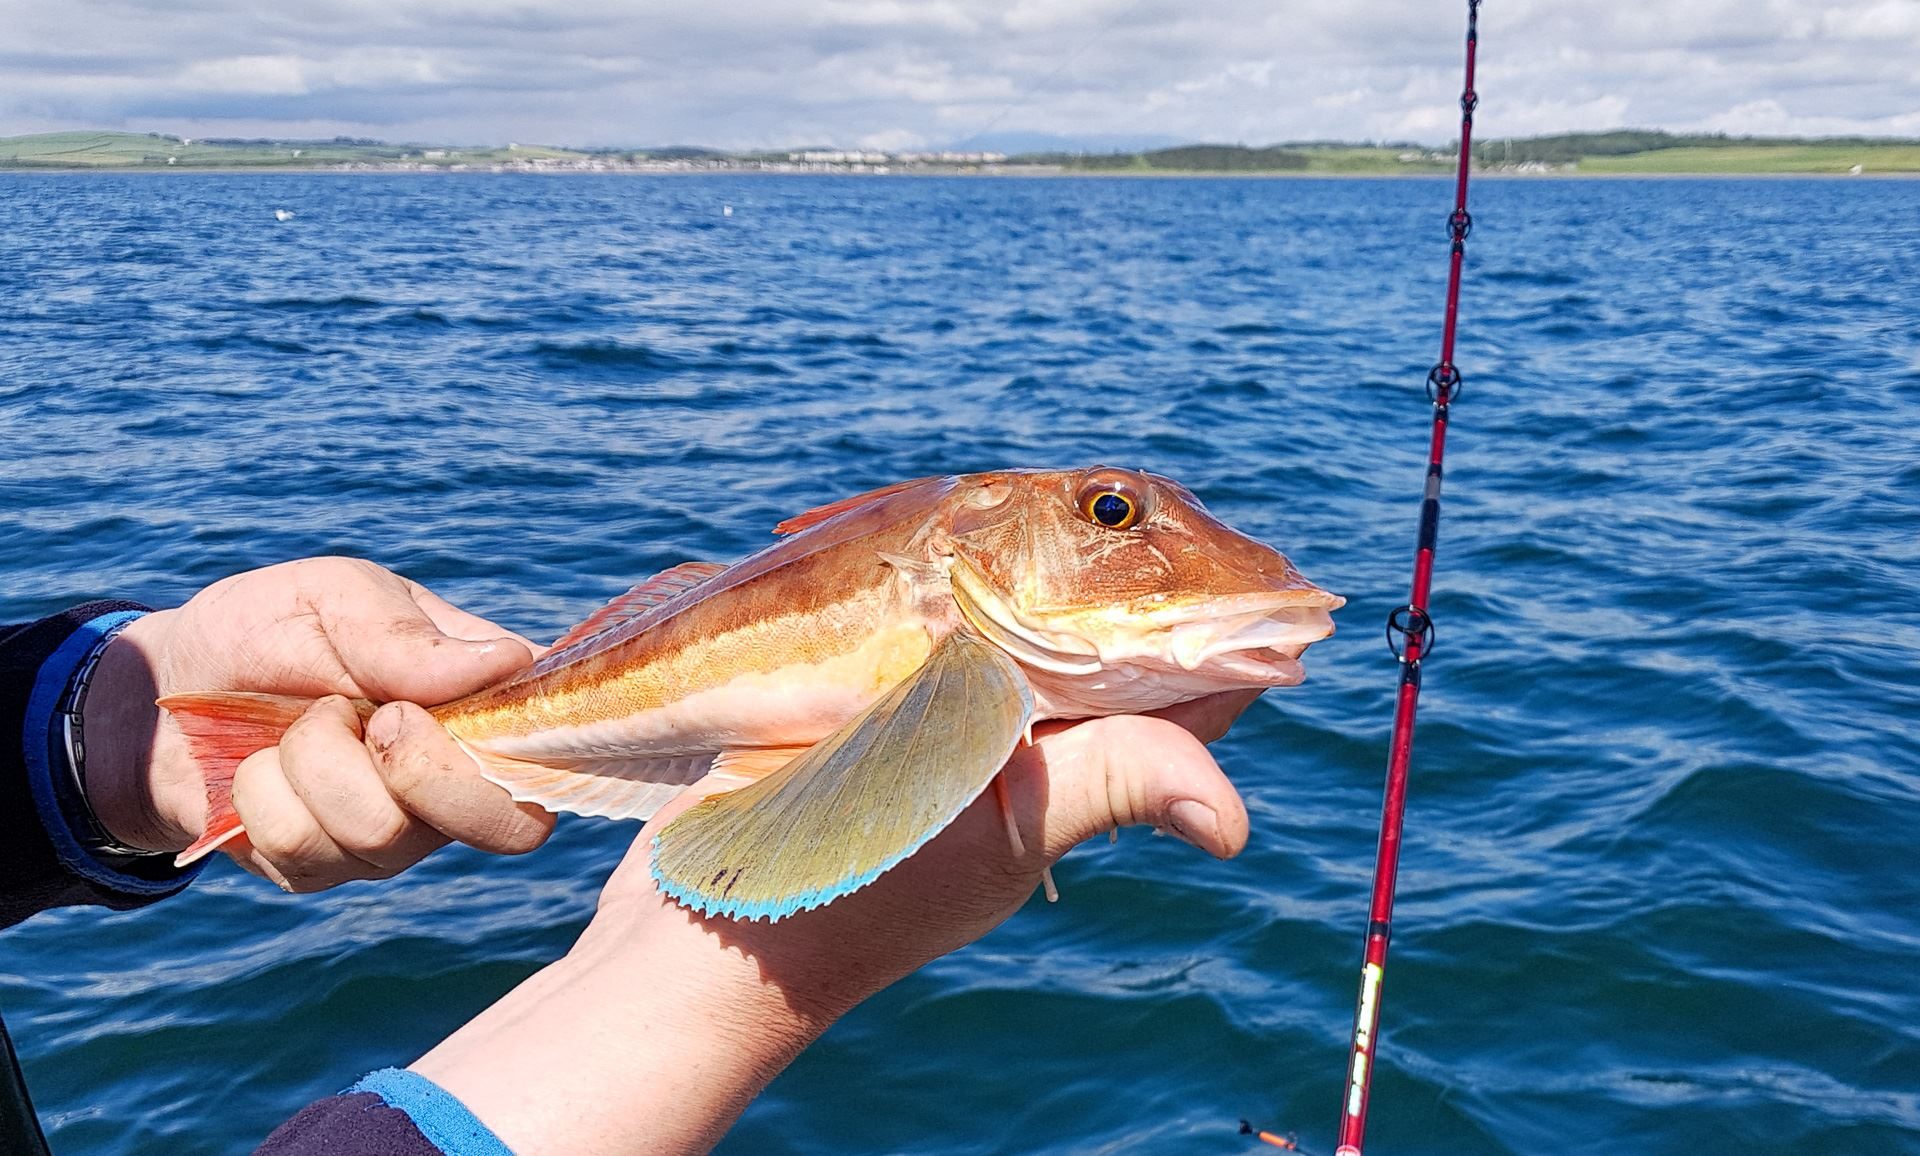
{"points": [[650, 1036]]}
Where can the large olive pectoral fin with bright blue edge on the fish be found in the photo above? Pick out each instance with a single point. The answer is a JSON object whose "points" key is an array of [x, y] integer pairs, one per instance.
{"points": [[859, 802]]}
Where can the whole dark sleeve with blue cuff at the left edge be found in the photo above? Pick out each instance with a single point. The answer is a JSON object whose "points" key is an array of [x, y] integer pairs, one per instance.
{"points": [[41, 861]]}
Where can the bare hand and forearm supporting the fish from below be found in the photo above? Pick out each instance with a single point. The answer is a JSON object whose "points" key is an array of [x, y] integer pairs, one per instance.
{"points": [[660, 1026]]}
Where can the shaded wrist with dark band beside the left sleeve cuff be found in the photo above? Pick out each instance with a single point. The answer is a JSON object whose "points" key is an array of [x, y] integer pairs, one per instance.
{"points": [[122, 729]]}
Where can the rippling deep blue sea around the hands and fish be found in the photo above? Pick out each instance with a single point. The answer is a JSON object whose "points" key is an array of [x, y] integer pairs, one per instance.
{"points": [[1660, 892]]}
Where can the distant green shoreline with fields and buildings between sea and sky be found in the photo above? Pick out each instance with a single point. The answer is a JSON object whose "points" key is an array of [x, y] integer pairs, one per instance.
{"points": [[1620, 153]]}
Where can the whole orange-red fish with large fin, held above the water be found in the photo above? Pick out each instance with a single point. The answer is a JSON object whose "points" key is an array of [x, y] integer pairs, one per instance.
{"points": [[844, 694]]}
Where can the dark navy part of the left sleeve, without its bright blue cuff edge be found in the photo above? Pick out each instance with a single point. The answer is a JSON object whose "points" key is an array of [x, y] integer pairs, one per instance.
{"points": [[32, 873]]}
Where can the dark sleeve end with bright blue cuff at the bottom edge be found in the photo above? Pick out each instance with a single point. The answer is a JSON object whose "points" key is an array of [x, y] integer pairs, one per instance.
{"points": [[393, 1113]]}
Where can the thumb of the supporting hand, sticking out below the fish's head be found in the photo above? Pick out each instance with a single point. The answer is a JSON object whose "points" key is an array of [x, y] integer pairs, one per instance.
{"points": [[1109, 773]]}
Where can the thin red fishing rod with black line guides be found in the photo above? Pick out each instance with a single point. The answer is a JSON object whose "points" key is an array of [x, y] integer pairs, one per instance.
{"points": [[1410, 633]]}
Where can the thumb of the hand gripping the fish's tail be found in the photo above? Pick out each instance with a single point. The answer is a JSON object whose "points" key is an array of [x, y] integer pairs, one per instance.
{"points": [[395, 652]]}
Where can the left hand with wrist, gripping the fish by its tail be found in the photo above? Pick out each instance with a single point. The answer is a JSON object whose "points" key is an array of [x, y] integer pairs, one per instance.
{"points": [[333, 802]]}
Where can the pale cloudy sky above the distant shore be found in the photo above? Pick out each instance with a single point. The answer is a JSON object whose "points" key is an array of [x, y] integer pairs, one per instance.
{"points": [[900, 74]]}
